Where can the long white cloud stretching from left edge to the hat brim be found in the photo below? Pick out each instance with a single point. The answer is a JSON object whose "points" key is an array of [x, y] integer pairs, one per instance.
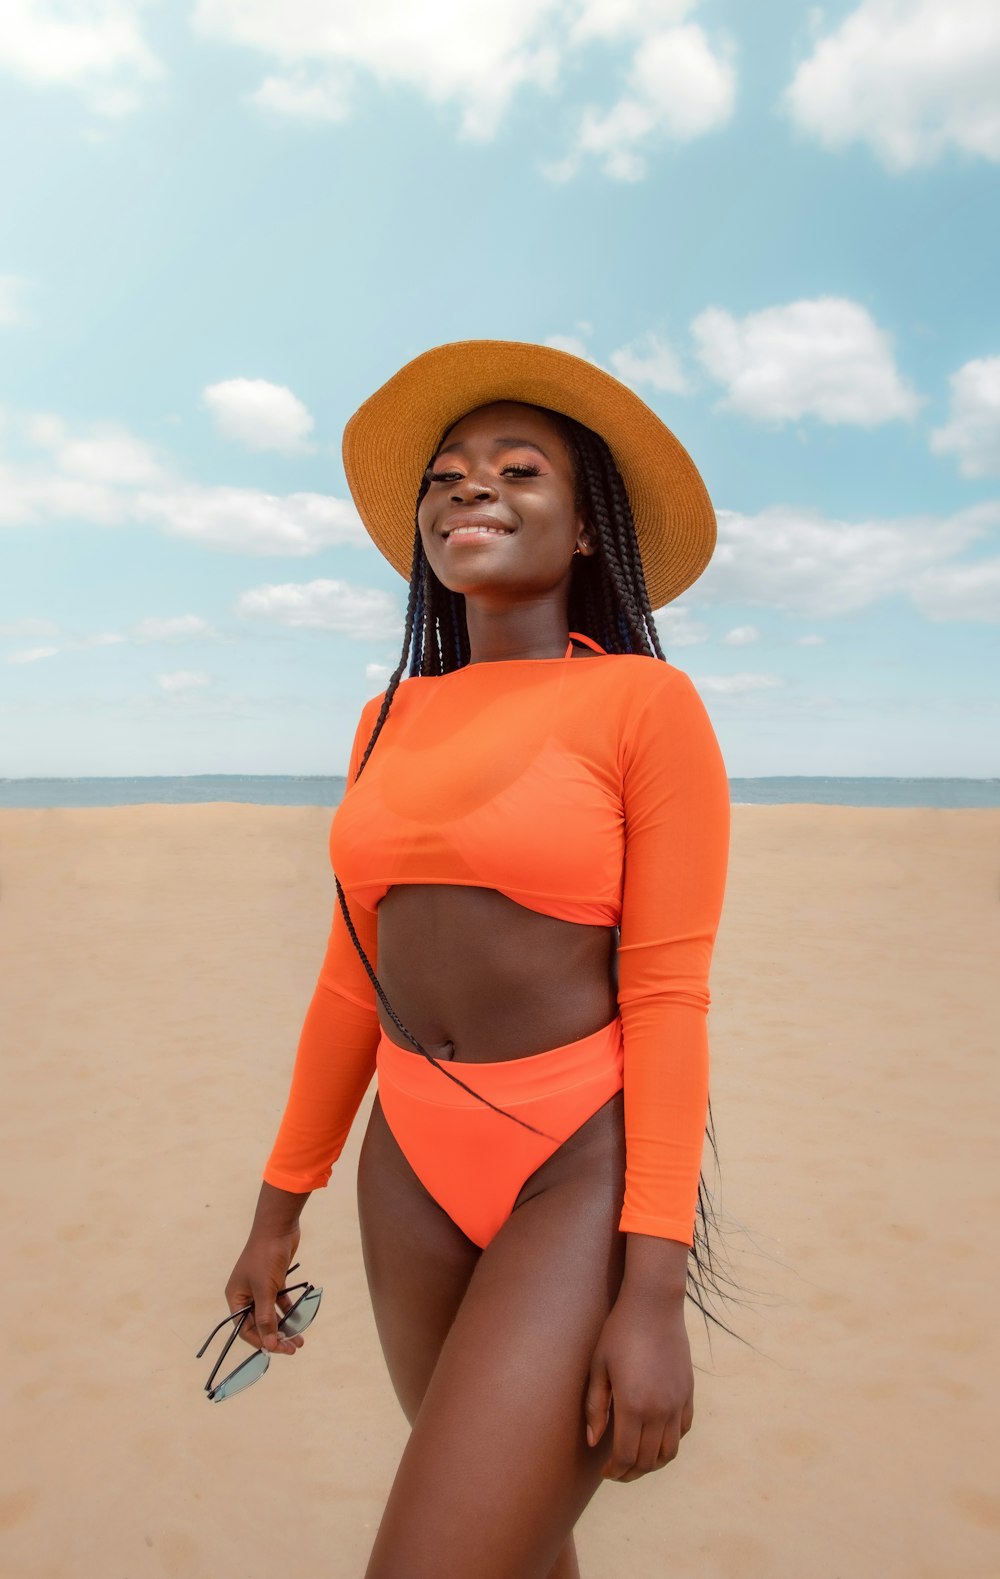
{"points": [[107, 478]]}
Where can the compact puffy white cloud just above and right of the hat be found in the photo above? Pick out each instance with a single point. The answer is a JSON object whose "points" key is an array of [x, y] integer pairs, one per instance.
{"points": [[824, 358]]}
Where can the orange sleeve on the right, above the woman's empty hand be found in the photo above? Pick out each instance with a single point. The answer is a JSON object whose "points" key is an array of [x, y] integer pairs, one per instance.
{"points": [[677, 853]]}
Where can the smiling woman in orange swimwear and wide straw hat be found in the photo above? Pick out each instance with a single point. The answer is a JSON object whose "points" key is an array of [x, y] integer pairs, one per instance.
{"points": [[532, 857]]}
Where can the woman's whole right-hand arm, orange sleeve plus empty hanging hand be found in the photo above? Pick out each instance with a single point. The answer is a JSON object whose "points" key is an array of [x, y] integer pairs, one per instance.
{"points": [[677, 853]]}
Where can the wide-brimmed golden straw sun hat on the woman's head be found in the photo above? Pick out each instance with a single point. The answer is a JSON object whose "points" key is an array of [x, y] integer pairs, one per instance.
{"points": [[391, 440]]}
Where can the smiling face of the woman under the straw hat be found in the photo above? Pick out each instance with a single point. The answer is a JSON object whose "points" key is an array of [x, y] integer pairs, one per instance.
{"points": [[500, 514]]}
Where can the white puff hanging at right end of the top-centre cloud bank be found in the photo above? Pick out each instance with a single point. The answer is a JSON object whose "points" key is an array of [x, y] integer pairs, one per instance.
{"points": [[677, 89]]}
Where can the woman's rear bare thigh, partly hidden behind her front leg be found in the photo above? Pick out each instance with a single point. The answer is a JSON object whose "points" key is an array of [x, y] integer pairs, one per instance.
{"points": [[418, 1262]]}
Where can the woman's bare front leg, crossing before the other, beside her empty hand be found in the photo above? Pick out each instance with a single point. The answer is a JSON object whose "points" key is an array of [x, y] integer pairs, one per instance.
{"points": [[497, 1469]]}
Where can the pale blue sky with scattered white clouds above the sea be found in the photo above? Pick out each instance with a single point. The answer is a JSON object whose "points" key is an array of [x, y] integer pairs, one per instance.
{"points": [[228, 222]]}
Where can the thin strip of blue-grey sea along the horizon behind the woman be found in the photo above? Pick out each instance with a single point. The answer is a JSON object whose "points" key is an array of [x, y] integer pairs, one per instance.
{"points": [[317, 790]]}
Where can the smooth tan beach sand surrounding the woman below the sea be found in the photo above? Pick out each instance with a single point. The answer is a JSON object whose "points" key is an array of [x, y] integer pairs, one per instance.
{"points": [[157, 962]]}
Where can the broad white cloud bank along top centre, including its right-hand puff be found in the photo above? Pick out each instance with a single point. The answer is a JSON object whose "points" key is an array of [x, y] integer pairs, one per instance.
{"points": [[475, 58]]}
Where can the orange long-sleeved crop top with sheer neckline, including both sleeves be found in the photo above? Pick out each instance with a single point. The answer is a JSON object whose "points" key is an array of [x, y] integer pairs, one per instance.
{"points": [[585, 789]]}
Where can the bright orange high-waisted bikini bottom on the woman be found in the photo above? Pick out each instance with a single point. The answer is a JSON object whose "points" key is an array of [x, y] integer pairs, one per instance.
{"points": [[473, 1161]]}
